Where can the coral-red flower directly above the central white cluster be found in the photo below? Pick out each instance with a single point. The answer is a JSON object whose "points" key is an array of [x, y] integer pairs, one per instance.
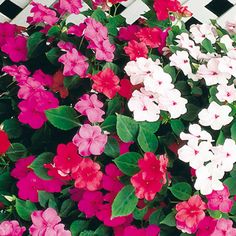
{"points": [[135, 50]]}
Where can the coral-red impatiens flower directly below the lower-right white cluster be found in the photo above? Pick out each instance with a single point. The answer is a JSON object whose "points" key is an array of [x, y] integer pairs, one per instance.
{"points": [[189, 214]]}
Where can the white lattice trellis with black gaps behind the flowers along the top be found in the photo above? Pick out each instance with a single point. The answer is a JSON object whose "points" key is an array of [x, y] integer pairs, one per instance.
{"points": [[17, 11]]}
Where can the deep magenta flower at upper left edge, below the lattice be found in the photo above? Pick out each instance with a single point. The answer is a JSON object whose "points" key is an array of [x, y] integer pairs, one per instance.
{"points": [[16, 48]]}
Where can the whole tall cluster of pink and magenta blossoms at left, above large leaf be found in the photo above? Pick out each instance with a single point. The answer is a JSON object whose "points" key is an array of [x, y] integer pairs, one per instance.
{"points": [[36, 99]]}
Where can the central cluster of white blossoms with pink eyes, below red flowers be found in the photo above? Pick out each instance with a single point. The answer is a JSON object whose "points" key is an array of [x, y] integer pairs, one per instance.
{"points": [[157, 91]]}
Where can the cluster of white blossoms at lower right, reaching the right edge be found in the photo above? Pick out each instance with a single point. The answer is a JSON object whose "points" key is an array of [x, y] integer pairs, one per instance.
{"points": [[210, 162]]}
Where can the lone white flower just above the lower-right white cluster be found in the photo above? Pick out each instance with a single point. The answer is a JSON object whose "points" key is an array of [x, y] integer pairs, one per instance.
{"points": [[215, 116]]}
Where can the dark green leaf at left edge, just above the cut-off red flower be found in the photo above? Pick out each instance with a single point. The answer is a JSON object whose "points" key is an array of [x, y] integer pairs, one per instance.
{"points": [[13, 128]]}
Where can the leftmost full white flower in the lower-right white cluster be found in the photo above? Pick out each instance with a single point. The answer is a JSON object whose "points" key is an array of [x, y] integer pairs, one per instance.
{"points": [[196, 154]]}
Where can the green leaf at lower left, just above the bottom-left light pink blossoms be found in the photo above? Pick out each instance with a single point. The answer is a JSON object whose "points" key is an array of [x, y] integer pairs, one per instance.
{"points": [[24, 209]]}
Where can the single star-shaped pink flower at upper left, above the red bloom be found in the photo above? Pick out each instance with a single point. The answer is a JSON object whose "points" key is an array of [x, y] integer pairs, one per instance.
{"points": [[74, 63]]}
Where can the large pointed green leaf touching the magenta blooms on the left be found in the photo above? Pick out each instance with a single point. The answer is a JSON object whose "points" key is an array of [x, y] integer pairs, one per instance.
{"points": [[63, 117]]}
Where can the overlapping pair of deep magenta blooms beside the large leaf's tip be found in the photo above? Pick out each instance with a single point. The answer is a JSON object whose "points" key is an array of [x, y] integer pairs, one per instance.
{"points": [[32, 109]]}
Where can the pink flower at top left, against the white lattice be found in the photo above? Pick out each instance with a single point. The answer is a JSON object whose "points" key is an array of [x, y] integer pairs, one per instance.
{"points": [[42, 14]]}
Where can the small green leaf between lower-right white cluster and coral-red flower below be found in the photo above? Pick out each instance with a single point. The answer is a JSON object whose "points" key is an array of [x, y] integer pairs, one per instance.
{"points": [[181, 190]]}
